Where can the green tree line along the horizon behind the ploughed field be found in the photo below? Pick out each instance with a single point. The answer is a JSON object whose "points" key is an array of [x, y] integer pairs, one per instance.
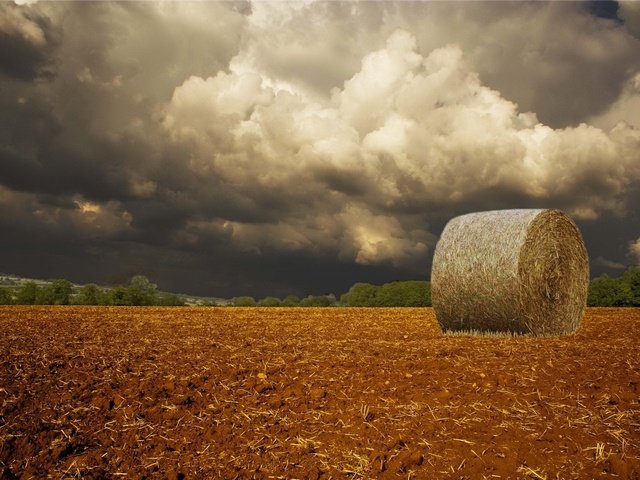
{"points": [[604, 291]]}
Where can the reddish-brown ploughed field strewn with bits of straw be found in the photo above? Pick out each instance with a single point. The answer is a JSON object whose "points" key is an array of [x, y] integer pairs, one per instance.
{"points": [[311, 393]]}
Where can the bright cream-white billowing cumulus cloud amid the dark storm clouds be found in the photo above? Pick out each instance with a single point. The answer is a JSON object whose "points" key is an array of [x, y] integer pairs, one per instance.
{"points": [[410, 129]]}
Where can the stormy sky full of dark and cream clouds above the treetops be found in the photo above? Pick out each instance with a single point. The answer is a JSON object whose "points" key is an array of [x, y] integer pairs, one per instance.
{"points": [[274, 148]]}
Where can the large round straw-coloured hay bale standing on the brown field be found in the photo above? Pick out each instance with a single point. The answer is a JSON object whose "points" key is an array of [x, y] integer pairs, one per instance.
{"points": [[519, 271]]}
